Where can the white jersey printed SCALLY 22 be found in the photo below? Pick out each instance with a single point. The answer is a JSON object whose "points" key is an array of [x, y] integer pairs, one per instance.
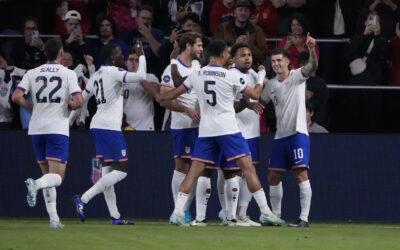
{"points": [[51, 86]]}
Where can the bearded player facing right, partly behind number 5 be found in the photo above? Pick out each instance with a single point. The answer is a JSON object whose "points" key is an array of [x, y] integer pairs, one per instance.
{"points": [[185, 115]]}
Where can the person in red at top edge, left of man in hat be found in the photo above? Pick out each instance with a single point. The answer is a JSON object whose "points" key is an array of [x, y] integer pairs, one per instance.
{"points": [[221, 12]]}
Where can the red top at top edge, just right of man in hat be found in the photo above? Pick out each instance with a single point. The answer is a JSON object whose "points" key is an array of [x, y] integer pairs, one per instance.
{"points": [[267, 19]]}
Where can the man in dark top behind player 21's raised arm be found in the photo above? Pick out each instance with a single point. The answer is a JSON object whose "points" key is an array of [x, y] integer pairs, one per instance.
{"points": [[151, 38]]}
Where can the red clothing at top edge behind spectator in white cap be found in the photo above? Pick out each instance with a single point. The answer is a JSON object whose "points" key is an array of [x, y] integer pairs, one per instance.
{"points": [[79, 6]]}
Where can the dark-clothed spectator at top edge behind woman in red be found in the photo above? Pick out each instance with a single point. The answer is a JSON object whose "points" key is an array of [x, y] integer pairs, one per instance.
{"points": [[286, 9]]}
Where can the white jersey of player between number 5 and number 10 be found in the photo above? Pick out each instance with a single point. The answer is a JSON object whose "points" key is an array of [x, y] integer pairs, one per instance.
{"points": [[248, 120]]}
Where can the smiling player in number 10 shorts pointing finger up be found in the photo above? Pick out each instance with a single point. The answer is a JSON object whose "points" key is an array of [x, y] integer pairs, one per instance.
{"points": [[291, 145]]}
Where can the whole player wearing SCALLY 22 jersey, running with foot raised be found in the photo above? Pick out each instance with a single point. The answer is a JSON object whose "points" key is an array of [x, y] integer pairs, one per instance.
{"points": [[54, 90]]}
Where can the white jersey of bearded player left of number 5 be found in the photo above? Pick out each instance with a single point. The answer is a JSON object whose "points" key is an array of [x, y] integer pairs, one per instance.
{"points": [[180, 120]]}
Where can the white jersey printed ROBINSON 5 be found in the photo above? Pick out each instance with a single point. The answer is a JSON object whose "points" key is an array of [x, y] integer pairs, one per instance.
{"points": [[216, 90]]}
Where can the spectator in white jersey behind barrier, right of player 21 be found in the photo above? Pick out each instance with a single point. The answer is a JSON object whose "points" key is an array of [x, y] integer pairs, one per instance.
{"points": [[138, 101]]}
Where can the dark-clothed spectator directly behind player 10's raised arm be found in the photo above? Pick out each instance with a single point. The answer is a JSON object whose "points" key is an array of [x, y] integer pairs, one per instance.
{"points": [[317, 94]]}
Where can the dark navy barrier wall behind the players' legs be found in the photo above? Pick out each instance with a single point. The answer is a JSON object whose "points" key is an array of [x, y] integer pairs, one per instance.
{"points": [[354, 177]]}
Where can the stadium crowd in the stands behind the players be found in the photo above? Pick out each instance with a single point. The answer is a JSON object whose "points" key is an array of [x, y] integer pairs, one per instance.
{"points": [[370, 58]]}
